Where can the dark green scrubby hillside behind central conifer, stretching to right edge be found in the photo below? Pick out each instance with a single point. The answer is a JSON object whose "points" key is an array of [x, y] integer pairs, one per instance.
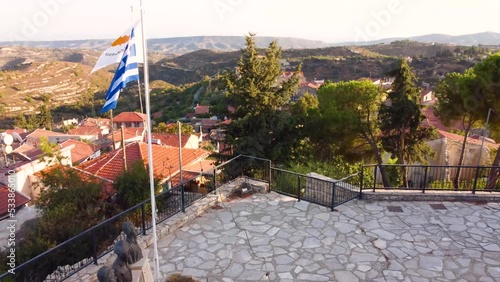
{"points": [[331, 63]]}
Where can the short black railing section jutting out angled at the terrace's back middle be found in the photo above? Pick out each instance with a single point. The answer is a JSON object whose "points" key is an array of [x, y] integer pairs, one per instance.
{"points": [[322, 191]]}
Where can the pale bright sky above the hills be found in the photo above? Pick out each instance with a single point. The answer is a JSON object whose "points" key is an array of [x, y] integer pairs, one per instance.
{"points": [[324, 20]]}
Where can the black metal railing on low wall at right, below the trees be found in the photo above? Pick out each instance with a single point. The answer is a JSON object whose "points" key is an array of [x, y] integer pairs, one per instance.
{"points": [[432, 177]]}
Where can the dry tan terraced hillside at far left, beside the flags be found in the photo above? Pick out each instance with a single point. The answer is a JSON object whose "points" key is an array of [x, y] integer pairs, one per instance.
{"points": [[64, 83]]}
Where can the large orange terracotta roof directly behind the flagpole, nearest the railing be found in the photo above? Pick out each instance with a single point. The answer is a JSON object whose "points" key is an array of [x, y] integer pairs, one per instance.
{"points": [[165, 160]]}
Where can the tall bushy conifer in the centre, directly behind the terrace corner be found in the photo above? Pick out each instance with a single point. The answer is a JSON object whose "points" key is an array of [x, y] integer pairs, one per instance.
{"points": [[260, 127]]}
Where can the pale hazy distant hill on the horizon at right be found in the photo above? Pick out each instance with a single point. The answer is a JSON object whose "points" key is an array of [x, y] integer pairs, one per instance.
{"points": [[483, 38]]}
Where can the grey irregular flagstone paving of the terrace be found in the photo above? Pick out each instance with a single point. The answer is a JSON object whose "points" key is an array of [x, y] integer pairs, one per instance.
{"points": [[362, 241]]}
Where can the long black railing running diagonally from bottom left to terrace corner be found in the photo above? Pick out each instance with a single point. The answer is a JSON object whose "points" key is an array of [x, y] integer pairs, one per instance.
{"points": [[69, 257]]}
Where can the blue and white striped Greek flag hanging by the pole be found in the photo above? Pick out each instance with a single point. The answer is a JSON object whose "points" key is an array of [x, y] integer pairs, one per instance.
{"points": [[127, 71]]}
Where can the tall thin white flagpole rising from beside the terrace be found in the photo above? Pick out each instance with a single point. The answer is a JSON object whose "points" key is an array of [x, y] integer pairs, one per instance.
{"points": [[150, 146]]}
